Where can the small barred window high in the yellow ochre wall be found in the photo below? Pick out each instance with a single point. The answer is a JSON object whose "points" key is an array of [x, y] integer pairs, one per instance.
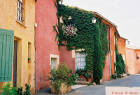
{"points": [[20, 11]]}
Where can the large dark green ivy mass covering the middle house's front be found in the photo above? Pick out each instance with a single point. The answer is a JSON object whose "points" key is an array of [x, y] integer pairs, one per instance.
{"points": [[89, 36]]}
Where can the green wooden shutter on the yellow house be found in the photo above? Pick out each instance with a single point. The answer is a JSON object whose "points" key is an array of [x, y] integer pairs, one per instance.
{"points": [[6, 54]]}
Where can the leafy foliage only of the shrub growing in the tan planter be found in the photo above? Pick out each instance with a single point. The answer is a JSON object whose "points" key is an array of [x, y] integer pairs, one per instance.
{"points": [[62, 75]]}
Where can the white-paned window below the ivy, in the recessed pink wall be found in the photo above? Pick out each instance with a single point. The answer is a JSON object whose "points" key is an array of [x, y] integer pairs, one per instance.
{"points": [[80, 60]]}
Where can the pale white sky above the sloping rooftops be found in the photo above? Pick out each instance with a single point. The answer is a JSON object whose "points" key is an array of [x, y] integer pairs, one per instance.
{"points": [[124, 13]]}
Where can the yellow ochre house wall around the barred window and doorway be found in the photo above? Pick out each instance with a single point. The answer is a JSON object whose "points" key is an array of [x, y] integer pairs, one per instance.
{"points": [[24, 34]]}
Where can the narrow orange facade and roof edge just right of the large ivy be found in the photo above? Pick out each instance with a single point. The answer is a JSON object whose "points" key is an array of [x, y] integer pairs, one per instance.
{"points": [[109, 68]]}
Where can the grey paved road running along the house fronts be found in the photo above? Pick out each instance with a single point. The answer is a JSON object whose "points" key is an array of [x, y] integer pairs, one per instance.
{"points": [[130, 81]]}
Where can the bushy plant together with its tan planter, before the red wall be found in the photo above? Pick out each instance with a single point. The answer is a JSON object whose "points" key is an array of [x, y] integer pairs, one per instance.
{"points": [[61, 80]]}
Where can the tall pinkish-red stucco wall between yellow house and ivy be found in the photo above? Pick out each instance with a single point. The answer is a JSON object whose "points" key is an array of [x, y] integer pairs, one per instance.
{"points": [[45, 40]]}
